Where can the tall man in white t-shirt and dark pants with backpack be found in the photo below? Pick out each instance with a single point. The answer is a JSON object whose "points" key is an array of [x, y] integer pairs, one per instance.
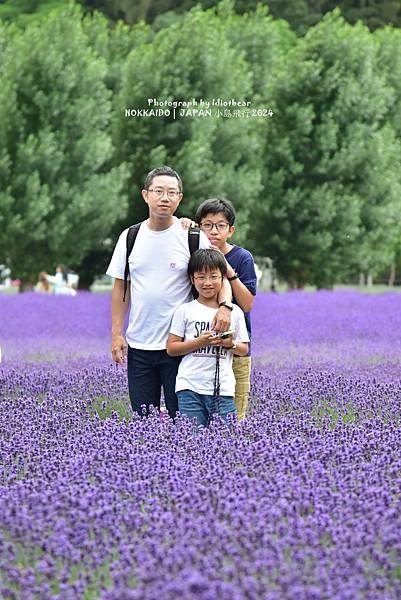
{"points": [[159, 283]]}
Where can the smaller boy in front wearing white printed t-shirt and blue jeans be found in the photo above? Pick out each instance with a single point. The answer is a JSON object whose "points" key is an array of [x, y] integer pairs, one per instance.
{"points": [[205, 381]]}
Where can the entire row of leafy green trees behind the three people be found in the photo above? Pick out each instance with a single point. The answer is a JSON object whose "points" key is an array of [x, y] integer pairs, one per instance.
{"points": [[316, 186]]}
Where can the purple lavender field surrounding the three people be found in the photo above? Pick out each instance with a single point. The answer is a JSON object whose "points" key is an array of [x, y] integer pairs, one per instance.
{"points": [[300, 501]]}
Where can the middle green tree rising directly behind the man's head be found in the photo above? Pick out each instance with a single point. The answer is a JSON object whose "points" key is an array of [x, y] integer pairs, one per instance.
{"points": [[191, 60]]}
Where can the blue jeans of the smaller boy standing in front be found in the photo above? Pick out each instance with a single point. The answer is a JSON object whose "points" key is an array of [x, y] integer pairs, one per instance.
{"points": [[202, 406]]}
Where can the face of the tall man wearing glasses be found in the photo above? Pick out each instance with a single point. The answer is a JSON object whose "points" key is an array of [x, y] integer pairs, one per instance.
{"points": [[163, 196]]}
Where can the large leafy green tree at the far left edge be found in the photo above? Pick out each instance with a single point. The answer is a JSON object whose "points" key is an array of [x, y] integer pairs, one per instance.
{"points": [[59, 191]]}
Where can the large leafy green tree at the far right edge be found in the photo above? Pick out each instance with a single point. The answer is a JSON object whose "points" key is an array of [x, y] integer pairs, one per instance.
{"points": [[332, 164]]}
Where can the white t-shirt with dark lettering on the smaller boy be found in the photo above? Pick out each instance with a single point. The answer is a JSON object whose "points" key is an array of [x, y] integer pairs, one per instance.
{"points": [[197, 369]]}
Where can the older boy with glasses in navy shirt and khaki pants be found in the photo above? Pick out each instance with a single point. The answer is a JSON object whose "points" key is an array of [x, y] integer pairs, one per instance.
{"points": [[216, 218]]}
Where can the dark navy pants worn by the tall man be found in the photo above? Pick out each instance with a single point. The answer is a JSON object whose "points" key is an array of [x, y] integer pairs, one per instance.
{"points": [[148, 371]]}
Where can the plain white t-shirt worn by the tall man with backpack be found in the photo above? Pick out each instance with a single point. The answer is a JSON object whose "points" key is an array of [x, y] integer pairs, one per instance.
{"points": [[159, 281]]}
